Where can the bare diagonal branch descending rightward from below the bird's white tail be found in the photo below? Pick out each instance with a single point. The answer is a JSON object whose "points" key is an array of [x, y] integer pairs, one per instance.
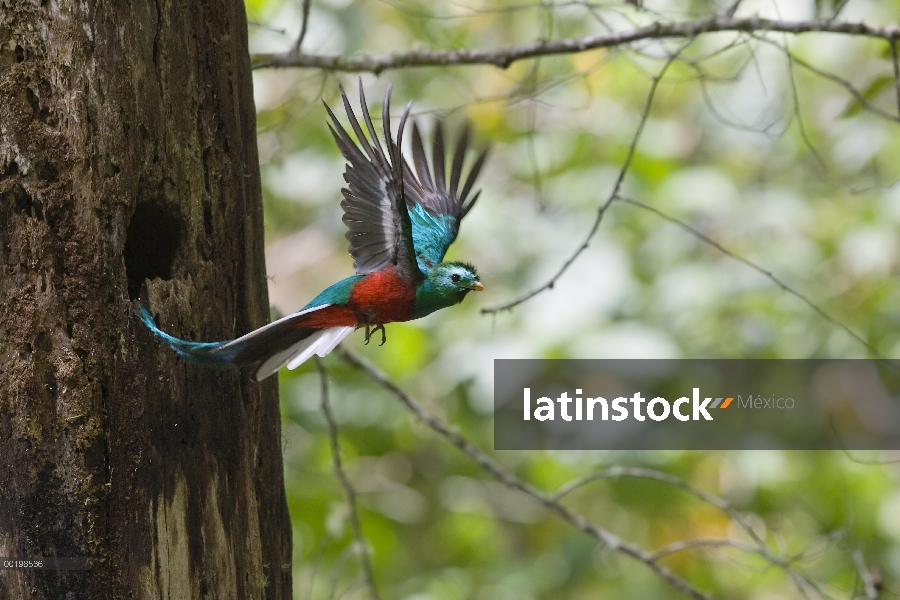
{"points": [[496, 470]]}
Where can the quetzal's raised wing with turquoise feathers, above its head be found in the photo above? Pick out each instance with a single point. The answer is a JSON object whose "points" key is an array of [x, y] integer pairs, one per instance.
{"points": [[435, 205]]}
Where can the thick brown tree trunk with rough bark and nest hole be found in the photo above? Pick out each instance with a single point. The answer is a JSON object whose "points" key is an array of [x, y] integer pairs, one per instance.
{"points": [[128, 167]]}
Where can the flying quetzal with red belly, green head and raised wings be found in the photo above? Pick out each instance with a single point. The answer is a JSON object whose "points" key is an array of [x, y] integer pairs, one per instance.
{"points": [[400, 223]]}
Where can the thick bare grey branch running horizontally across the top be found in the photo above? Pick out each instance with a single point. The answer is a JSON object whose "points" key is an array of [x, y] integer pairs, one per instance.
{"points": [[503, 57]]}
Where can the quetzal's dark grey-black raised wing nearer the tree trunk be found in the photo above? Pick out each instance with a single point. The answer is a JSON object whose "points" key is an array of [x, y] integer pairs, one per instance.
{"points": [[379, 227]]}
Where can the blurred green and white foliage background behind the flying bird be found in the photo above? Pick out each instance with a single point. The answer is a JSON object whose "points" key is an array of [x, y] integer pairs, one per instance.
{"points": [[777, 163]]}
